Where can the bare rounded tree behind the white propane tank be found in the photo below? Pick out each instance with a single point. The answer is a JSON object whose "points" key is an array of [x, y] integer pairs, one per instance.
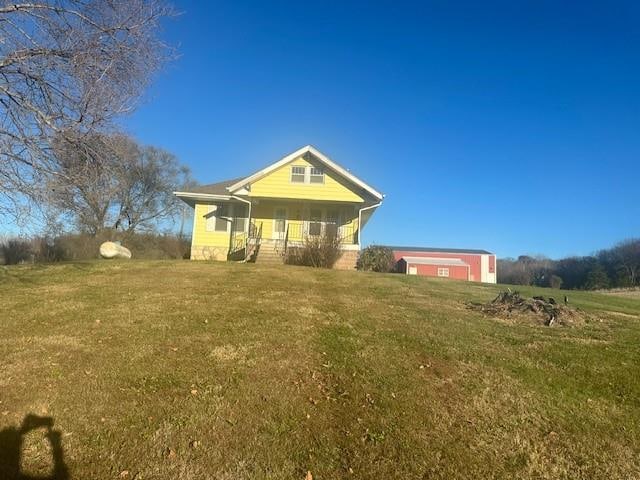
{"points": [[109, 181]]}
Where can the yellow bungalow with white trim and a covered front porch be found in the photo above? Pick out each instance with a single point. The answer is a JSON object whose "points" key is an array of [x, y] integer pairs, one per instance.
{"points": [[256, 218]]}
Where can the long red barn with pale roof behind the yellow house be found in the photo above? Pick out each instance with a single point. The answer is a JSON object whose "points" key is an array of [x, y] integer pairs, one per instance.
{"points": [[461, 264]]}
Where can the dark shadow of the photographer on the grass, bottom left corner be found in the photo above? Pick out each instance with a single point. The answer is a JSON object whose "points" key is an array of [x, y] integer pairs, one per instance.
{"points": [[11, 450]]}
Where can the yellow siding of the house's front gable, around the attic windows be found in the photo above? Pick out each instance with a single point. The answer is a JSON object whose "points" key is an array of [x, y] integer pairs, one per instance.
{"points": [[277, 184]]}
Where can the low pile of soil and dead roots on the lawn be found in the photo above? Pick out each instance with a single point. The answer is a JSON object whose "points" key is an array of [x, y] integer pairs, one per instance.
{"points": [[511, 304]]}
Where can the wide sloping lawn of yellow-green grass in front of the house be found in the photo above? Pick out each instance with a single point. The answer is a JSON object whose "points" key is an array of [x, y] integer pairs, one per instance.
{"points": [[231, 371]]}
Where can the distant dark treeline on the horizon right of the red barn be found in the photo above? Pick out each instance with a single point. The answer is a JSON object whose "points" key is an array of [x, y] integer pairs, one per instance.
{"points": [[616, 267]]}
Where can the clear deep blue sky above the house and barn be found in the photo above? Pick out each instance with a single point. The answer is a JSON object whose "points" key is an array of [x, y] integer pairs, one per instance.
{"points": [[511, 126]]}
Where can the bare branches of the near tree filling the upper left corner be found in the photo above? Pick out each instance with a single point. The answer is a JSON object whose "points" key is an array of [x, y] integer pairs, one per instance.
{"points": [[68, 66]]}
